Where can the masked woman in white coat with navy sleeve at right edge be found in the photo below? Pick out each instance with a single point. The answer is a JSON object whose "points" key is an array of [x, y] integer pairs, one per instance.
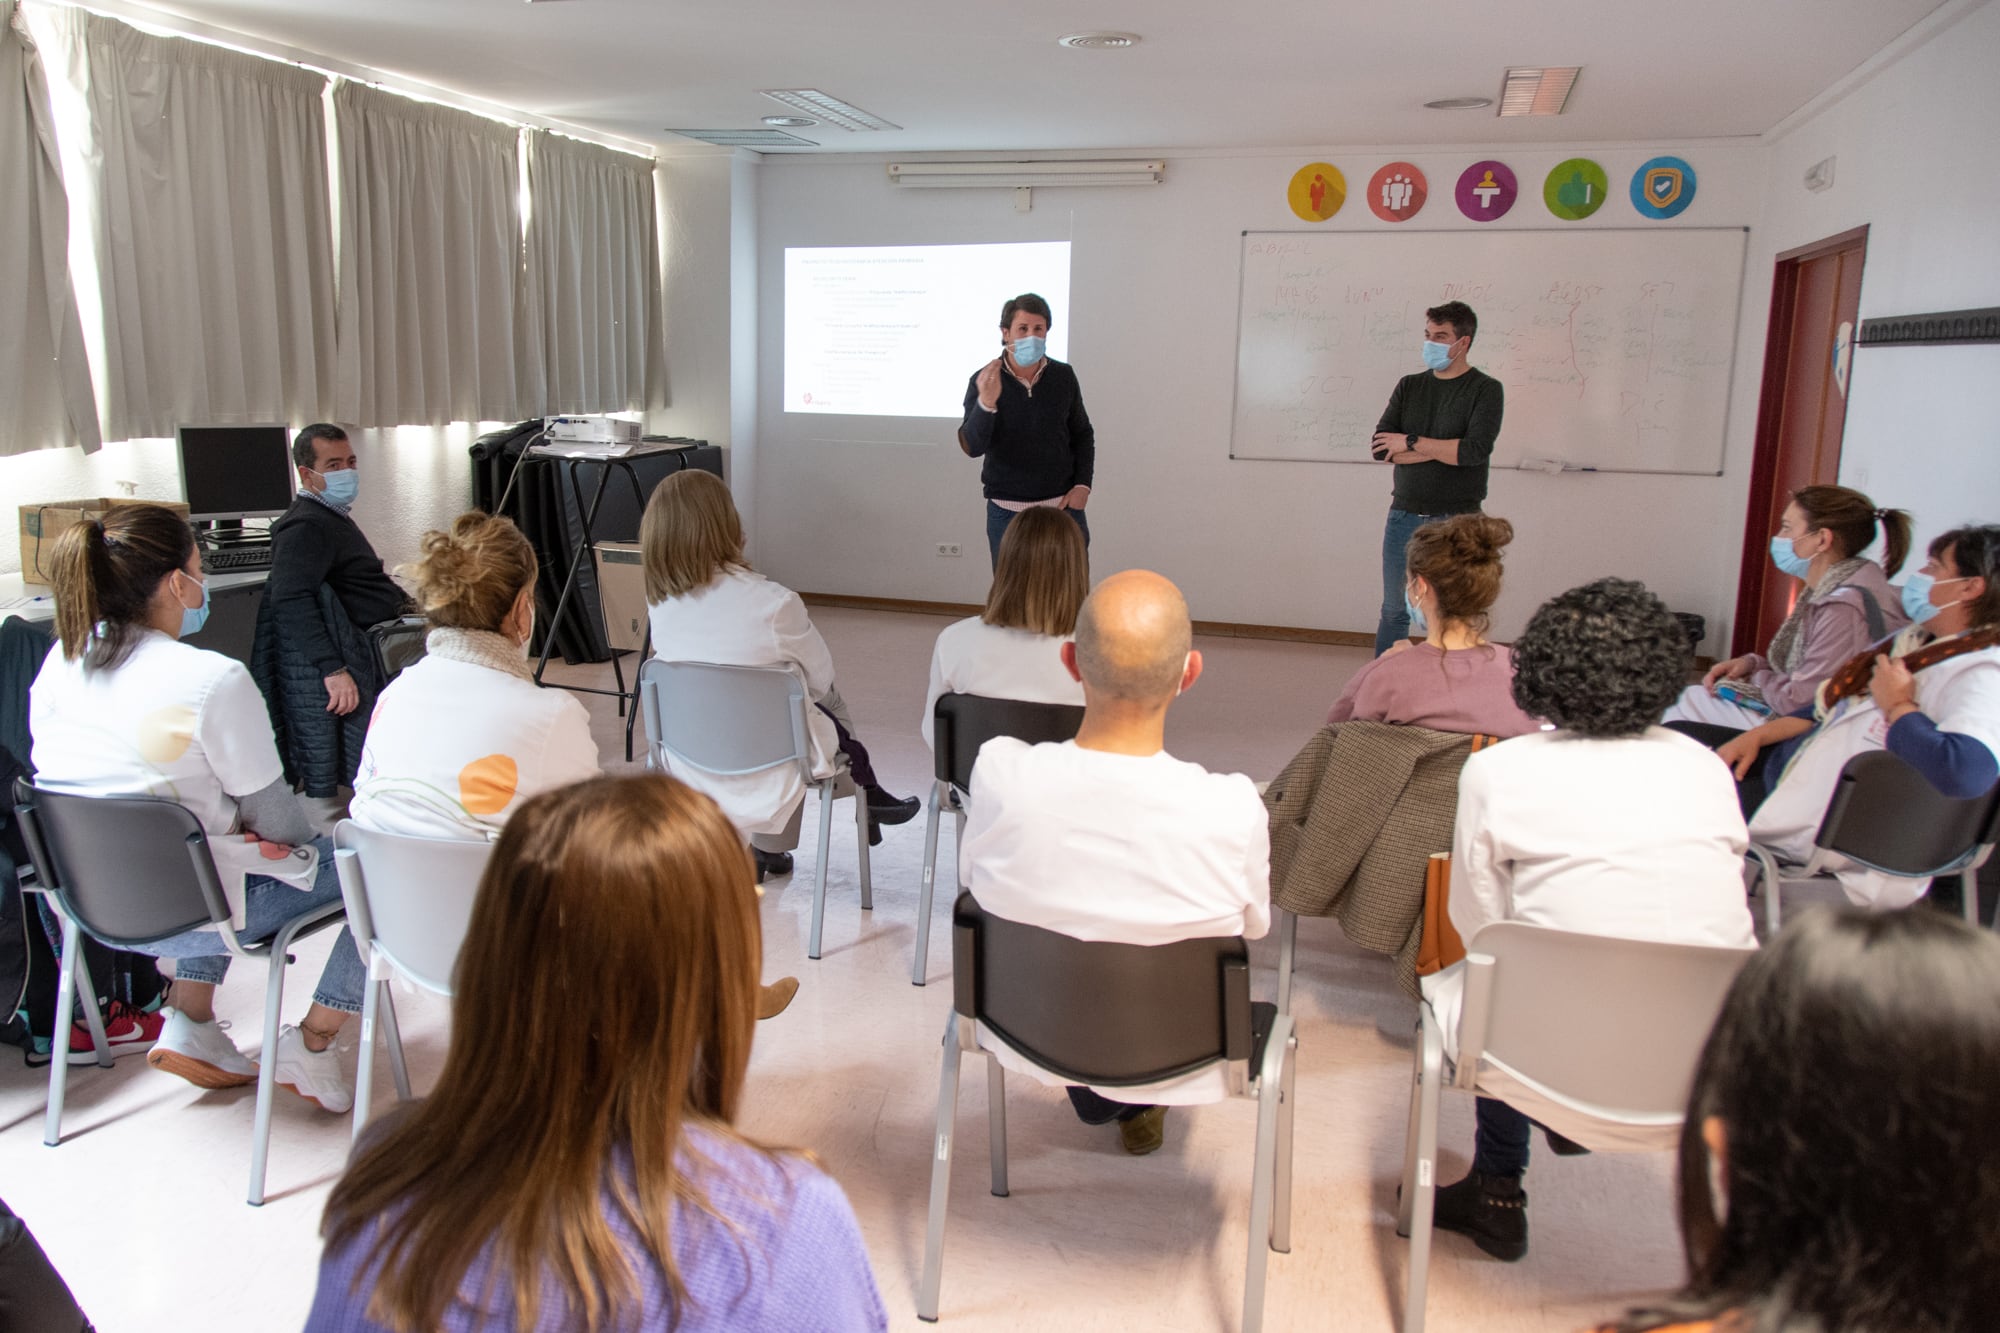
{"points": [[1931, 698]]}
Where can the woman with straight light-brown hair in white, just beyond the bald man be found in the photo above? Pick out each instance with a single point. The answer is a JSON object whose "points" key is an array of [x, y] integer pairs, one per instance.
{"points": [[1015, 647]]}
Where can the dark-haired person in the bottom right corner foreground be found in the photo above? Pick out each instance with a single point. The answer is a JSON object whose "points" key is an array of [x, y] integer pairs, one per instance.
{"points": [[1837, 1166]]}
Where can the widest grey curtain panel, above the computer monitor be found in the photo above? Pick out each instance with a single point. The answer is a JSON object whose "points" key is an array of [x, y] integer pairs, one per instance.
{"points": [[213, 231]]}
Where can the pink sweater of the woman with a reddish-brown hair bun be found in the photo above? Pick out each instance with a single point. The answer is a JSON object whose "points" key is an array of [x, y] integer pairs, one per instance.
{"points": [[1467, 690]]}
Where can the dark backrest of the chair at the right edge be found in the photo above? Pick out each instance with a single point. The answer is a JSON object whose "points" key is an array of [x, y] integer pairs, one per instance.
{"points": [[1889, 818]]}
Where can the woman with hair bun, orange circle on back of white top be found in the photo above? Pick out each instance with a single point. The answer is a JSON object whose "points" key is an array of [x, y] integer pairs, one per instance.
{"points": [[465, 738]]}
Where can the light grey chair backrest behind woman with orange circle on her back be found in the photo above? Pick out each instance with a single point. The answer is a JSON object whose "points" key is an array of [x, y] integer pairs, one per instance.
{"points": [[411, 898]]}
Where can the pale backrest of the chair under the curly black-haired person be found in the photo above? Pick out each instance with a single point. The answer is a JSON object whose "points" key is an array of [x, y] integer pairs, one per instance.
{"points": [[1611, 1024]]}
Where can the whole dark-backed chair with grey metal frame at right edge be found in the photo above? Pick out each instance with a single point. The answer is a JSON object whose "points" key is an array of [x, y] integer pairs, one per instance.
{"points": [[1887, 818]]}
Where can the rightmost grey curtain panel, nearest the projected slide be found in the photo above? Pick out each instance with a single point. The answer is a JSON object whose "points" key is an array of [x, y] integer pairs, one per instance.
{"points": [[593, 337]]}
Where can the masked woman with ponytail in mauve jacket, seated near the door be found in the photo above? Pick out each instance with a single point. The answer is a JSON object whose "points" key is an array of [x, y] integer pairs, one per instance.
{"points": [[1843, 607]]}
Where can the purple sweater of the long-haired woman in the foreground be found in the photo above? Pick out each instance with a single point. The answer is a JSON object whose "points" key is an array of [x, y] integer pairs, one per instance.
{"points": [[797, 1262]]}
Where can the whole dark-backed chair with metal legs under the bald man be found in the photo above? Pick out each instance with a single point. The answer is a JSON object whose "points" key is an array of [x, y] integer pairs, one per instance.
{"points": [[1115, 1016]]}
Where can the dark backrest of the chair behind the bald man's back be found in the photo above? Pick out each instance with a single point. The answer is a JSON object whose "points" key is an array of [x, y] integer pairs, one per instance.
{"points": [[1103, 1014]]}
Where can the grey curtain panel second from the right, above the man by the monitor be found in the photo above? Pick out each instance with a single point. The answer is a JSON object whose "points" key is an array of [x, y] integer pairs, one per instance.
{"points": [[431, 263]]}
